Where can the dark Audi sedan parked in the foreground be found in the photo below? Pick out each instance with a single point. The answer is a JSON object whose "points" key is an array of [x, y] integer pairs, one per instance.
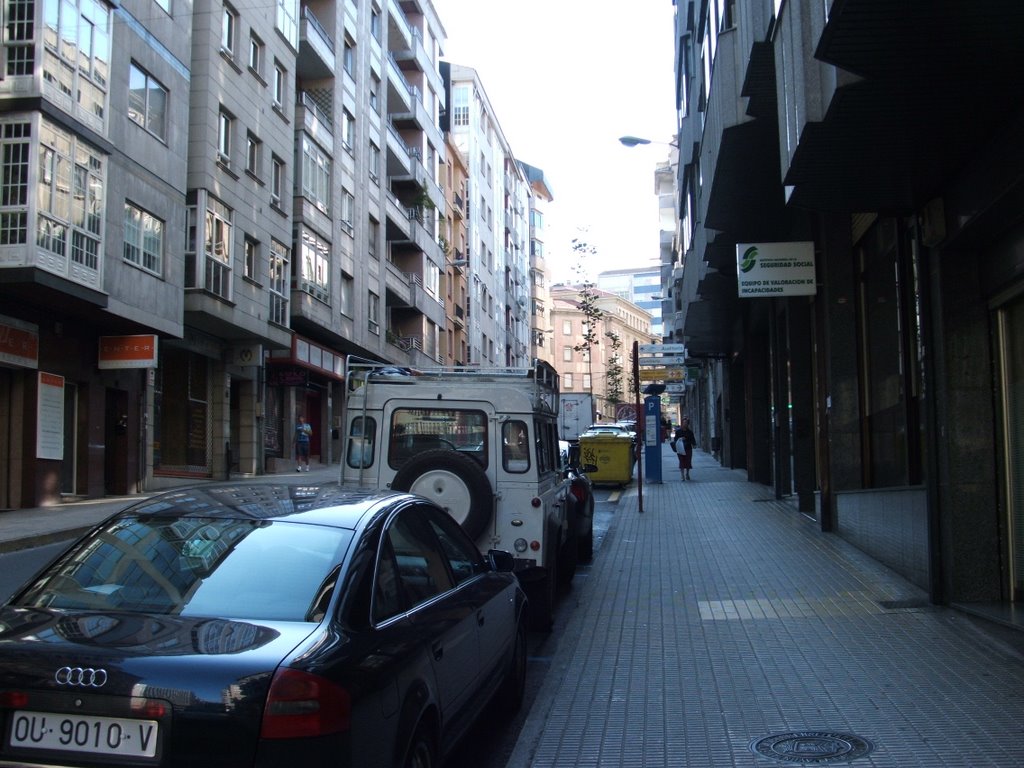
{"points": [[262, 626]]}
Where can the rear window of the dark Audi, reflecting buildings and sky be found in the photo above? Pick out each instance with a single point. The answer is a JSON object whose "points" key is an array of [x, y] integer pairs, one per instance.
{"points": [[191, 567]]}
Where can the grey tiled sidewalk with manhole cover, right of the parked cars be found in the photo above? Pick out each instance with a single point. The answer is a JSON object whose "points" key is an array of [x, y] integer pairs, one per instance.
{"points": [[720, 617]]}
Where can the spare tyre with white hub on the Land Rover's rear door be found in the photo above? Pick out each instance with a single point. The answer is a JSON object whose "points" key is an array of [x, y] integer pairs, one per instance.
{"points": [[455, 482]]}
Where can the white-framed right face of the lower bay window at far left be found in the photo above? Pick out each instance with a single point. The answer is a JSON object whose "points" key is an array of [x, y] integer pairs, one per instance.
{"points": [[70, 196]]}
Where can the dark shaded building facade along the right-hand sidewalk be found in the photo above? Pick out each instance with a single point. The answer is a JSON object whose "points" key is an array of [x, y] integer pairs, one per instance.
{"points": [[882, 400]]}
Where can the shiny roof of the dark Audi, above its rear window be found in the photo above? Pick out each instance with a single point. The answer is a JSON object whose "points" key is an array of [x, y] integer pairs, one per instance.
{"points": [[327, 504]]}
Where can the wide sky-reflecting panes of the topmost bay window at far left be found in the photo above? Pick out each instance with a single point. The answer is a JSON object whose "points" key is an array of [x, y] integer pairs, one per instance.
{"points": [[77, 57]]}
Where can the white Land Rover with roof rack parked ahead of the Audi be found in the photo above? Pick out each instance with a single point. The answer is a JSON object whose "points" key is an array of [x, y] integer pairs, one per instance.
{"points": [[482, 443]]}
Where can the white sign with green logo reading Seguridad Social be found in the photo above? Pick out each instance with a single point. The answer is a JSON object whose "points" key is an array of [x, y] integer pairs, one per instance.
{"points": [[776, 270]]}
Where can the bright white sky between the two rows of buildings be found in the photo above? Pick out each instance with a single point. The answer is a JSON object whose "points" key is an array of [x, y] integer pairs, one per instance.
{"points": [[566, 79]]}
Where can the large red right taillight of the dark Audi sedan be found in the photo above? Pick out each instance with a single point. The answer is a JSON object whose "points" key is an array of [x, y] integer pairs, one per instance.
{"points": [[304, 705]]}
